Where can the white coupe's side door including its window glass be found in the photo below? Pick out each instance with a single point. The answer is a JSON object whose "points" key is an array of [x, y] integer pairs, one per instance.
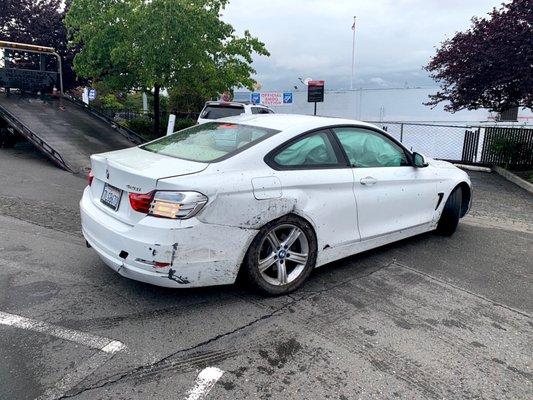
{"points": [[391, 194]]}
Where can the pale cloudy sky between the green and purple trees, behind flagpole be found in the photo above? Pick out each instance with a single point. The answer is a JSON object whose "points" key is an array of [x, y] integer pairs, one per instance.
{"points": [[312, 38]]}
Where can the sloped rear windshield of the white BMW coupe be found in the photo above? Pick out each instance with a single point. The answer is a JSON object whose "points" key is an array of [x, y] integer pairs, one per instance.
{"points": [[209, 142]]}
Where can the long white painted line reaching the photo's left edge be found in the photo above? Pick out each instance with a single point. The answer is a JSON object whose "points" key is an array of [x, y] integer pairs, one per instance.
{"points": [[86, 339]]}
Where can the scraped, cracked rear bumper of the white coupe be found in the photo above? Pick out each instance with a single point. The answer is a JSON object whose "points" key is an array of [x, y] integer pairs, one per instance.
{"points": [[188, 253]]}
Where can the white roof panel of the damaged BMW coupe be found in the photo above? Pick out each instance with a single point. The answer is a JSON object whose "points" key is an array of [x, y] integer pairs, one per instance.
{"points": [[283, 122]]}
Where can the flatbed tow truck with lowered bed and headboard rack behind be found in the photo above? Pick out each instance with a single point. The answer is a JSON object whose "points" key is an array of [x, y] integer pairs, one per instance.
{"points": [[63, 128]]}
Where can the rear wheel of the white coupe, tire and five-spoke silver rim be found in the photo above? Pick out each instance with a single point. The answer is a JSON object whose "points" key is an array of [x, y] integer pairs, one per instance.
{"points": [[262, 251]]}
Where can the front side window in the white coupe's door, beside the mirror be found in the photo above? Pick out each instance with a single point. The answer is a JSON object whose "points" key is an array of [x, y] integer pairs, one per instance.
{"points": [[366, 149]]}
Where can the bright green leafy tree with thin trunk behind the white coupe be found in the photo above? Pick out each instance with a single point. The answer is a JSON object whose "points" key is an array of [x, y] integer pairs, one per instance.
{"points": [[150, 45]]}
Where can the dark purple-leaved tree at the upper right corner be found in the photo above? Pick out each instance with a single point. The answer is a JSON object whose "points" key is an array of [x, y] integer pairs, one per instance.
{"points": [[491, 64]]}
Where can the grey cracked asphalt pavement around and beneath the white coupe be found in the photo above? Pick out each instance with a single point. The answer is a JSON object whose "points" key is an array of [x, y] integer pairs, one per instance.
{"points": [[425, 318]]}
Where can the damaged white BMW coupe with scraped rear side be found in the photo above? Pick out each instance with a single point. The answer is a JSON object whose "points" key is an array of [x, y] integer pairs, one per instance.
{"points": [[268, 196]]}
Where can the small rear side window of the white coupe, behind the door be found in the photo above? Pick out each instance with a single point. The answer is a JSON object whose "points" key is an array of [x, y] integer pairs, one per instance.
{"points": [[312, 150]]}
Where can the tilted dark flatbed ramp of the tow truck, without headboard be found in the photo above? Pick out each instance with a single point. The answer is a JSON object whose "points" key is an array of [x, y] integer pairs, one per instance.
{"points": [[68, 133]]}
